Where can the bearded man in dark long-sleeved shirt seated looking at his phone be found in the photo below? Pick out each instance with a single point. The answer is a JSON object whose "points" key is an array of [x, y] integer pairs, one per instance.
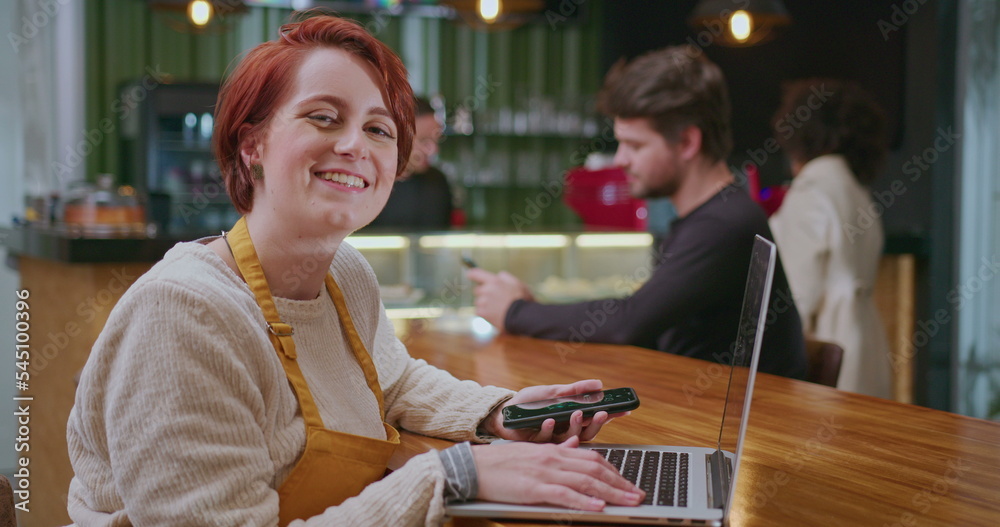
{"points": [[671, 119]]}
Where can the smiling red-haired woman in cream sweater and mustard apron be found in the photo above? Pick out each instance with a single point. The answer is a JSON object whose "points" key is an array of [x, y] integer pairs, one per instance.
{"points": [[255, 378]]}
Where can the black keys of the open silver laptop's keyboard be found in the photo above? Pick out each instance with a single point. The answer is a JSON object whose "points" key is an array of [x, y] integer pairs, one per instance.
{"points": [[663, 475]]}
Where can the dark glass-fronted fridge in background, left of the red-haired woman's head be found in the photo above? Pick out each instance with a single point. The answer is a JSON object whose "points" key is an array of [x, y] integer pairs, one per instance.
{"points": [[167, 153]]}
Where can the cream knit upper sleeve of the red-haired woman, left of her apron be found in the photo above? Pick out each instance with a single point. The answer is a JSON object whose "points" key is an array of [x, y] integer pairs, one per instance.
{"points": [[167, 423]]}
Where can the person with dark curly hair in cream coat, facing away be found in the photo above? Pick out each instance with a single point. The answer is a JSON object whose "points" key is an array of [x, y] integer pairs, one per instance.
{"points": [[829, 243]]}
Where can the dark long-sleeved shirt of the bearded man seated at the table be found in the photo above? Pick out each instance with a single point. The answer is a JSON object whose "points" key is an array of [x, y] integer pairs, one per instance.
{"points": [[691, 304]]}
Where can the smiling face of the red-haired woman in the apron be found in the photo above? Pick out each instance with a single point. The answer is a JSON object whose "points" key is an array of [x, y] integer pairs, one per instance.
{"points": [[329, 149]]}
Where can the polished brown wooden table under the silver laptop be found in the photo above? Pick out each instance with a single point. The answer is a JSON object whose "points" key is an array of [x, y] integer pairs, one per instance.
{"points": [[813, 455]]}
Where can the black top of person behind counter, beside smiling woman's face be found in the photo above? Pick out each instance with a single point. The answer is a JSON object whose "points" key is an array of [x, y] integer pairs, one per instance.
{"points": [[420, 202]]}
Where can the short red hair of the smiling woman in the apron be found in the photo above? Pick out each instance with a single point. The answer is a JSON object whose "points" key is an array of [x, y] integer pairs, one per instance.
{"points": [[259, 83]]}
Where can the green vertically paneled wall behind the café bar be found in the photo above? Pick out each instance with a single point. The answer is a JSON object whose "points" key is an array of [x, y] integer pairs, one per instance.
{"points": [[499, 169]]}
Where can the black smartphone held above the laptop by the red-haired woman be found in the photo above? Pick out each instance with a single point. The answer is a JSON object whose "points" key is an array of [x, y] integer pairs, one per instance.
{"points": [[532, 414]]}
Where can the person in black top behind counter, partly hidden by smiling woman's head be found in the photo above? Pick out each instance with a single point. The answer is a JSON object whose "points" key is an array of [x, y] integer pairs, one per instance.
{"points": [[421, 198]]}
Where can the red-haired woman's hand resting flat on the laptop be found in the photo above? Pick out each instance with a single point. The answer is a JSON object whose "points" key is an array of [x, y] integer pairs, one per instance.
{"points": [[560, 475]]}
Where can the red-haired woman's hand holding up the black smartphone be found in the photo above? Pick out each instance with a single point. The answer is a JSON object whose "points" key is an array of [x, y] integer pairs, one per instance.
{"points": [[578, 426]]}
